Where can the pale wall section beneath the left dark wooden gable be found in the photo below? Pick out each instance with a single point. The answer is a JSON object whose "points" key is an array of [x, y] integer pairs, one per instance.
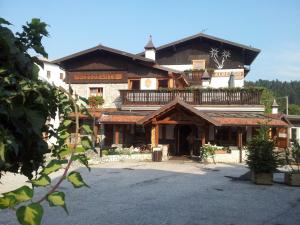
{"points": [[111, 92]]}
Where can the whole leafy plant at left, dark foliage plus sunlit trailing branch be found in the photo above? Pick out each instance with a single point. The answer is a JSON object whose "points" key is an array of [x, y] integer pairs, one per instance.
{"points": [[26, 103]]}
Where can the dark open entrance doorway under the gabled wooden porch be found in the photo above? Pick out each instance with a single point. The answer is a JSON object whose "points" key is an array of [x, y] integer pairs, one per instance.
{"points": [[183, 146]]}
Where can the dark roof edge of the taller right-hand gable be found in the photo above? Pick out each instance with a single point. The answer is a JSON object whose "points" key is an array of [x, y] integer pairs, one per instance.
{"points": [[253, 52]]}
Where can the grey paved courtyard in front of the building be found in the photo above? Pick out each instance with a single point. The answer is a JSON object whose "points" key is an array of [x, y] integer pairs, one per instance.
{"points": [[174, 192]]}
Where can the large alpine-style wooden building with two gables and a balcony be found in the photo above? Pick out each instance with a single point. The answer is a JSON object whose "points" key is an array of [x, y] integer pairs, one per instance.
{"points": [[193, 86]]}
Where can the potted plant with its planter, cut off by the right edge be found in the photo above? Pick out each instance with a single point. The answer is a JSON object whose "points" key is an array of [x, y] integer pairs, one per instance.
{"points": [[292, 156]]}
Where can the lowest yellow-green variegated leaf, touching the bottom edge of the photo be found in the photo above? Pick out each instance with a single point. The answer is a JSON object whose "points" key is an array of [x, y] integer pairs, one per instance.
{"points": [[30, 215]]}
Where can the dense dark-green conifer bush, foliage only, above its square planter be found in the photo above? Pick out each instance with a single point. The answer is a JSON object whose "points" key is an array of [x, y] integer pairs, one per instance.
{"points": [[261, 155]]}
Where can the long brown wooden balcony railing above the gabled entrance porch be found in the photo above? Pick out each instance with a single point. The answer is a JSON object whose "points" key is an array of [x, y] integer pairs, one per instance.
{"points": [[193, 97]]}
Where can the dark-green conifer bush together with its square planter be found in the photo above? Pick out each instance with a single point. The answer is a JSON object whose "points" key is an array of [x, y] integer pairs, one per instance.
{"points": [[262, 159]]}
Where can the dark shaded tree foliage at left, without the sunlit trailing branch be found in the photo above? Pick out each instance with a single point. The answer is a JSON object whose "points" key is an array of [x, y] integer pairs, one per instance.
{"points": [[25, 102]]}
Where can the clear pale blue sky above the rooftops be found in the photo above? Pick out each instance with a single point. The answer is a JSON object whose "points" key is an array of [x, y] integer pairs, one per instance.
{"points": [[270, 25]]}
